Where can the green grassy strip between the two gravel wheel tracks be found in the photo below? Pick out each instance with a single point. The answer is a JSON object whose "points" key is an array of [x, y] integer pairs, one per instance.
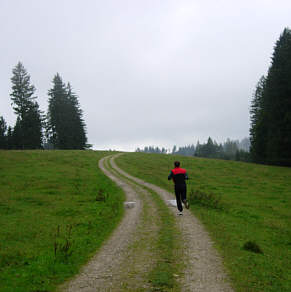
{"points": [[167, 270]]}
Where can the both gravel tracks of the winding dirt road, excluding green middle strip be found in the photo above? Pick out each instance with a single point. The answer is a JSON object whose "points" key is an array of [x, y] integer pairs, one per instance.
{"points": [[125, 260]]}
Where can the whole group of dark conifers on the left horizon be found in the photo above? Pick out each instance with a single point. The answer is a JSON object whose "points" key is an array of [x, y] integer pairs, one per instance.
{"points": [[63, 126]]}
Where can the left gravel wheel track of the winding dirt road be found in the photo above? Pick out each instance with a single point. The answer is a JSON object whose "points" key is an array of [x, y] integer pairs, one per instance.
{"points": [[103, 269]]}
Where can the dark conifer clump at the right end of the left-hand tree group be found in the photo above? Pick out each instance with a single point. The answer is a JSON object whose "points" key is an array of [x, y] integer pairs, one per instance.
{"points": [[66, 128]]}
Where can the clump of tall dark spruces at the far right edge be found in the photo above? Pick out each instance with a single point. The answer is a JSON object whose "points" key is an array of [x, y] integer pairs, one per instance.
{"points": [[270, 113]]}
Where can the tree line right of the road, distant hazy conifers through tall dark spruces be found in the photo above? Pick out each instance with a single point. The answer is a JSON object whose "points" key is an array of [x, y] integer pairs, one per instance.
{"points": [[270, 115]]}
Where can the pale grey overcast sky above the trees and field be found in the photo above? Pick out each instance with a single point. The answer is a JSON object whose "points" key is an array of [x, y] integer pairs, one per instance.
{"points": [[147, 72]]}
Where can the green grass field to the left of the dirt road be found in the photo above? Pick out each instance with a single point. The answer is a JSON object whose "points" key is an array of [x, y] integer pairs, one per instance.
{"points": [[56, 208]]}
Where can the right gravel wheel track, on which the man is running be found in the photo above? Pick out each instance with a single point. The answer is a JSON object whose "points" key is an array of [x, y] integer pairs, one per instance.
{"points": [[204, 270]]}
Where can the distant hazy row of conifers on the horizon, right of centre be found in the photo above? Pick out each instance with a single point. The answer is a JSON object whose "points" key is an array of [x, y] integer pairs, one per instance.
{"points": [[229, 150]]}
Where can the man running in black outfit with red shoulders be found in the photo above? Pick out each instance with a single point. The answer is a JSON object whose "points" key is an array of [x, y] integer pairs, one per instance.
{"points": [[179, 175]]}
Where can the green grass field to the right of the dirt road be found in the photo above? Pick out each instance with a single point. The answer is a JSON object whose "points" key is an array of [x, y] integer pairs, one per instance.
{"points": [[254, 207]]}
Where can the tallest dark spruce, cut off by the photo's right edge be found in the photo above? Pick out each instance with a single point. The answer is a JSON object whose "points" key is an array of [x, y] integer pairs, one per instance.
{"points": [[277, 103]]}
